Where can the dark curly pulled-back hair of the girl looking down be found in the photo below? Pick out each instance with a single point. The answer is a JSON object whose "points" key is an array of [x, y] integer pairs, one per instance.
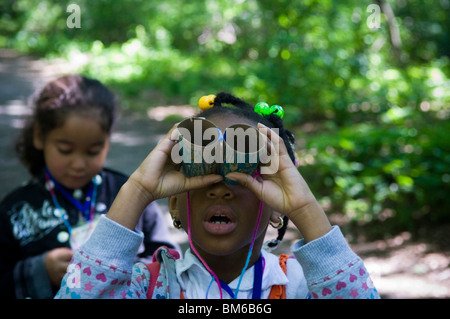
{"points": [[71, 94]]}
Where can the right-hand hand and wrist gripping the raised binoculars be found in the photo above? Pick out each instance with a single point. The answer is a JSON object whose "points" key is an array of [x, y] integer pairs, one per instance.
{"points": [[285, 190]]}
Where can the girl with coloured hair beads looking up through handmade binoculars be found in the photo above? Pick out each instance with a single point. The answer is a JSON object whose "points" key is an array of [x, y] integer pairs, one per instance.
{"points": [[226, 218]]}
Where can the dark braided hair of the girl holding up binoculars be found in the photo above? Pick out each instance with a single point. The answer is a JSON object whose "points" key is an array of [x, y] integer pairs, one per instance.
{"points": [[244, 109]]}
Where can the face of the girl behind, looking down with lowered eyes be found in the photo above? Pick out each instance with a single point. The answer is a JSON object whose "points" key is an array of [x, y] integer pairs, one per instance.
{"points": [[75, 152]]}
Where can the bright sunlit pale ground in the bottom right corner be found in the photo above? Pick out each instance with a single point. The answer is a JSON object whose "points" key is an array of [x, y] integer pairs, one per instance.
{"points": [[409, 267]]}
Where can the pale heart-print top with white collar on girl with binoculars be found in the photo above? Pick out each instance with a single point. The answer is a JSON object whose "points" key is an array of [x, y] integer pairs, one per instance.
{"points": [[104, 268]]}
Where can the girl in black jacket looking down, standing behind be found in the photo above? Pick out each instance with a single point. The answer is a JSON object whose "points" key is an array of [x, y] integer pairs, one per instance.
{"points": [[64, 146]]}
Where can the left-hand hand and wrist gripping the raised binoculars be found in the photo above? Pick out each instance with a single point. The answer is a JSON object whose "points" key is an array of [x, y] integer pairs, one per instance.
{"points": [[157, 177]]}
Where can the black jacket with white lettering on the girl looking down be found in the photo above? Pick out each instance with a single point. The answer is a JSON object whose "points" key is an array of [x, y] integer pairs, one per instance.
{"points": [[30, 226]]}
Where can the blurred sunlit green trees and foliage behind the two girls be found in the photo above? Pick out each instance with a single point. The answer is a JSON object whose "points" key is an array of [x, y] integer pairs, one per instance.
{"points": [[369, 105]]}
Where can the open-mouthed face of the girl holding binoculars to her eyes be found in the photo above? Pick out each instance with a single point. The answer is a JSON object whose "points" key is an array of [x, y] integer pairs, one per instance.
{"points": [[236, 206]]}
